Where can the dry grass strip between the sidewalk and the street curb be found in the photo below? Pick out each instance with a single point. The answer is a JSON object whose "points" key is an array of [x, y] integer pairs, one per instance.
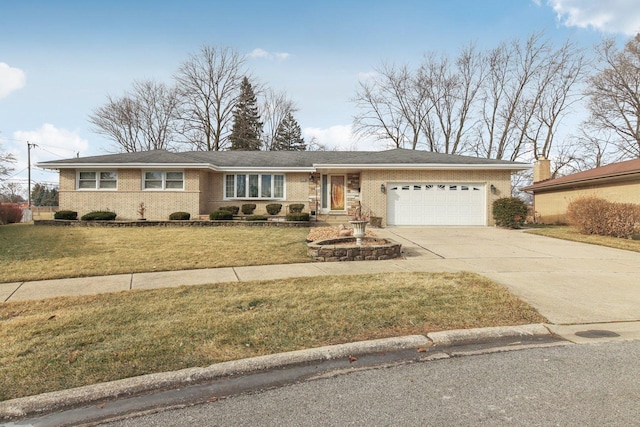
{"points": [[67, 342]]}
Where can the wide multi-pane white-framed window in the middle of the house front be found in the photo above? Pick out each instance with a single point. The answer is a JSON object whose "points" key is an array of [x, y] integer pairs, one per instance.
{"points": [[254, 186]]}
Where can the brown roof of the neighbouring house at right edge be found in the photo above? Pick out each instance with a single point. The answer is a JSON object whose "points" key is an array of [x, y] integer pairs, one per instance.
{"points": [[621, 171]]}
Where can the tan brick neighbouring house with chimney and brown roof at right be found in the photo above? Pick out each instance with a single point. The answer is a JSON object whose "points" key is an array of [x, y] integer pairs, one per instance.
{"points": [[618, 182]]}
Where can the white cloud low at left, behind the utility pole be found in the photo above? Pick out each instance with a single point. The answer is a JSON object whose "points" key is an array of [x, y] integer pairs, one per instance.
{"points": [[52, 144]]}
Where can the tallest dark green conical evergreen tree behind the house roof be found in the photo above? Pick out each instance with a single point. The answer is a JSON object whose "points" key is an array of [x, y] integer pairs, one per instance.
{"points": [[247, 127]]}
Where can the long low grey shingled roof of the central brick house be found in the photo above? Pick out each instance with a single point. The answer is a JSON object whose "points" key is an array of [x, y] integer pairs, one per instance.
{"points": [[284, 159]]}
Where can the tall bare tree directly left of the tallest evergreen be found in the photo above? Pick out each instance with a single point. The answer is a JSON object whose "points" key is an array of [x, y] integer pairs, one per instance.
{"points": [[208, 86]]}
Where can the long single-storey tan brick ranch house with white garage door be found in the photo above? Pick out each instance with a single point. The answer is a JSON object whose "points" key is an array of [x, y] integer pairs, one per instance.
{"points": [[404, 187]]}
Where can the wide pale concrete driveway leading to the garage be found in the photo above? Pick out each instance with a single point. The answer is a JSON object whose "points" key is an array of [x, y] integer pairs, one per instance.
{"points": [[568, 282]]}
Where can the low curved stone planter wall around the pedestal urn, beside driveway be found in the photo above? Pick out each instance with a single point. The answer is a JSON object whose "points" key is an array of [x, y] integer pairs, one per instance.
{"points": [[337, 250]]}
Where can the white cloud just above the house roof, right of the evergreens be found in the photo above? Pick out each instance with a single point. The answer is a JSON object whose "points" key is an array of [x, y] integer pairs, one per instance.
{"points": [[341, 138]]}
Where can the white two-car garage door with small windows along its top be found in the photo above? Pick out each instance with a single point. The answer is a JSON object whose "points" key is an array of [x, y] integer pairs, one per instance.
{"points": [[435, 204]]}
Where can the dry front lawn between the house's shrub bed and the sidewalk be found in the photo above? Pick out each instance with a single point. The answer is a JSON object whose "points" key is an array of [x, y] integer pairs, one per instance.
{"points": [[29, 252]]}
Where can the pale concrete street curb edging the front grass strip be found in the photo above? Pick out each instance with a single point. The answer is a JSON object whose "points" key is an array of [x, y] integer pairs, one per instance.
{"points": [[91, 394]]}
